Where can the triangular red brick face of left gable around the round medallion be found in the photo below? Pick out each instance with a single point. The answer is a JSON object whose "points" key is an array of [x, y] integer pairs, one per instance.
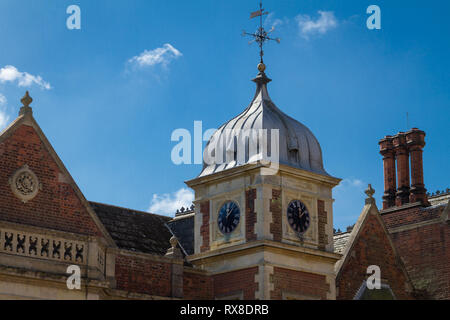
{"points": [[56, 206]]}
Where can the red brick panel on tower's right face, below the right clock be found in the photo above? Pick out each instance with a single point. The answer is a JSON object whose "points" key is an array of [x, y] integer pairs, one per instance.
{"points": [[306, 285]]}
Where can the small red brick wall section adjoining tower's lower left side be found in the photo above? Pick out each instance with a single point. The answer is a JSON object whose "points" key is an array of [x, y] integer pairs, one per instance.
{"points": [[197, 286]]}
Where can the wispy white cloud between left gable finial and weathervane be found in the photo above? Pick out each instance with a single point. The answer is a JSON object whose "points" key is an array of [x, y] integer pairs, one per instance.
{"points": [[163, 56]]}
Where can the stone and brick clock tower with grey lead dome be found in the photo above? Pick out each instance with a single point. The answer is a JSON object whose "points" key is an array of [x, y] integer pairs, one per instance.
{"points": [[264, 207]]}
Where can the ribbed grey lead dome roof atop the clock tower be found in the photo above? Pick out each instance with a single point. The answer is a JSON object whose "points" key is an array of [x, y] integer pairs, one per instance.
{"points": [[298, 147]]}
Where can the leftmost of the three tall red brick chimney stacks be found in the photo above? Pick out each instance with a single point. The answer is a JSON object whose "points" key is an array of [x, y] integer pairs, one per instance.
{"points": [[387, 151]]}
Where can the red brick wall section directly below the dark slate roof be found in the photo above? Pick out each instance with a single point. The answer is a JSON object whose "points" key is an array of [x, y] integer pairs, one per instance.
{"points": [[140, 275]]}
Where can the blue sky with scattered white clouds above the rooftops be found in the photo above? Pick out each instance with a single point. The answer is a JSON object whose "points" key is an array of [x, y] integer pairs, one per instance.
{"points": [[110, 117]]}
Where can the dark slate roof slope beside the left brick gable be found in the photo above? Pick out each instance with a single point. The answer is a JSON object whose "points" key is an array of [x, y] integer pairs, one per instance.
{"points": [[135, 230]]}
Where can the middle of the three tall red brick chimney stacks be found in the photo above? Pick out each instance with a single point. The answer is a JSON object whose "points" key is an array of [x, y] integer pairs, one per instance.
{"points": [[402, 157]]}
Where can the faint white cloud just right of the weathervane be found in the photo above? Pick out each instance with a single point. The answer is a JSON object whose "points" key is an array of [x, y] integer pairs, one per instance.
{"points": [[322, 25]]}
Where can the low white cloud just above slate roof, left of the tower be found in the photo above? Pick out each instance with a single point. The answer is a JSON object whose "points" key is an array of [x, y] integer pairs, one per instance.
{"points": [[167, 204]]}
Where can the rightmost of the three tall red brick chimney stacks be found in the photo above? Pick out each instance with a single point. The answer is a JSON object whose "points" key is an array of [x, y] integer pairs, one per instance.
{"points": [[415, 140]]}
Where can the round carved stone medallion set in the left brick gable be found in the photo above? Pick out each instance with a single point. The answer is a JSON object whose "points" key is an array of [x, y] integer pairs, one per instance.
{"points": [[25, 184]]}
